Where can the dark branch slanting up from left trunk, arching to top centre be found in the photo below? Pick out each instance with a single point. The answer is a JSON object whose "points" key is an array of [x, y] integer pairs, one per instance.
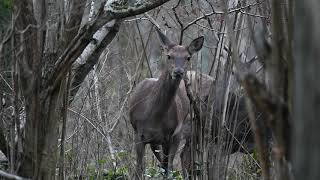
{"points": [[84, 37]]}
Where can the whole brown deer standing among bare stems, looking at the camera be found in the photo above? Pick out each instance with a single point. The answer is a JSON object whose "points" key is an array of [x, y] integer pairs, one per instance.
{"points": [[160, 107]]}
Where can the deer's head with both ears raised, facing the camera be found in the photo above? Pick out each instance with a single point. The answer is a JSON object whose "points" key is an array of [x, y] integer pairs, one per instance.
{"points": [[178, 56]]}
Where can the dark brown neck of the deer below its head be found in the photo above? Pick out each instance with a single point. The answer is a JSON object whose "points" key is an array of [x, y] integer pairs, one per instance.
{"points": [[167, 88]]}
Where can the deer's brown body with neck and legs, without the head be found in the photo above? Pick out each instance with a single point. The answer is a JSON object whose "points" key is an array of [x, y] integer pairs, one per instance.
{"points": [[159, 110]]}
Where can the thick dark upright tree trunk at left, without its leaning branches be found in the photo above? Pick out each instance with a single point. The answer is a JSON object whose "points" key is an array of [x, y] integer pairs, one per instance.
{"points": [[43, 106]]}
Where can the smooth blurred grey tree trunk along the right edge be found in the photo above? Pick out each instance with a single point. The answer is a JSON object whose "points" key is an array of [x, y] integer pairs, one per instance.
{"points": [[306, 146]]}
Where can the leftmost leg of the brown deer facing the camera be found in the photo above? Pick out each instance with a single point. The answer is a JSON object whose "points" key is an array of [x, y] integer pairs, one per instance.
{"points": [[140, 150]]}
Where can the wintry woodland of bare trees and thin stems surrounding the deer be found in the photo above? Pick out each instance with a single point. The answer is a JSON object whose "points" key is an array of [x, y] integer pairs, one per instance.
{"points": [[67, 69]]}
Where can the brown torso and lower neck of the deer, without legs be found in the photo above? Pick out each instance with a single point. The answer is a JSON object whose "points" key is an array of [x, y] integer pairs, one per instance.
{"points": [[171, 107]]}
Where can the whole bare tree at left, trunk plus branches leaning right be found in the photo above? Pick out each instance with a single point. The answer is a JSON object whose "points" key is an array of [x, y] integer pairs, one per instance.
{"points": [[48, 42]]}
